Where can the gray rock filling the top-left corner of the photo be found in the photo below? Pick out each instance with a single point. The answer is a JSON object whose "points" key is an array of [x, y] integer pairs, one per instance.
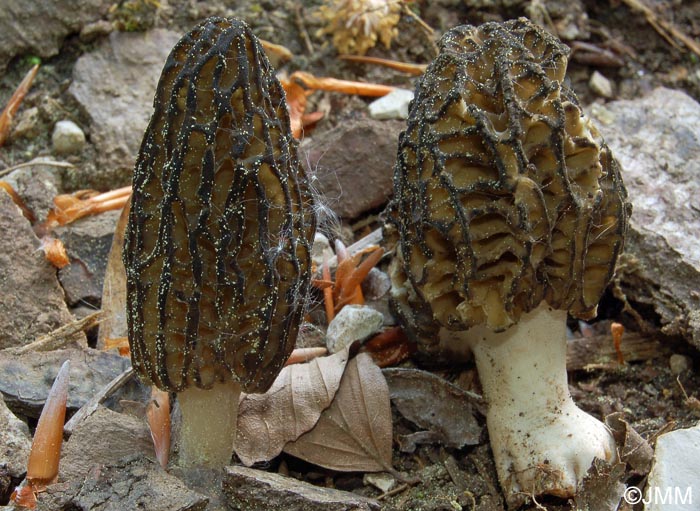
{"points": [[38, 27]]}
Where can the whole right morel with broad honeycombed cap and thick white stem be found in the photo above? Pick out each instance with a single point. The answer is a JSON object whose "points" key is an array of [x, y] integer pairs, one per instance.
{"points": [[509, 211]]}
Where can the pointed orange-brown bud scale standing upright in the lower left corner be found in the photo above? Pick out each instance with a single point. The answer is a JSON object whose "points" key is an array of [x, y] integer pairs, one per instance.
{"points": [[42, 467]]}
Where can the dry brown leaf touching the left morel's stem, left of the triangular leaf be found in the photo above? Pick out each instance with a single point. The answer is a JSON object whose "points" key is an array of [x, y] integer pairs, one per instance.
{"points": [[292, 406]]}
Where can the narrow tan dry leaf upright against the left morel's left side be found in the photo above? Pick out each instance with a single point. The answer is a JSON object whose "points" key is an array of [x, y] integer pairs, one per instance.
{"points": [[113, 325]]}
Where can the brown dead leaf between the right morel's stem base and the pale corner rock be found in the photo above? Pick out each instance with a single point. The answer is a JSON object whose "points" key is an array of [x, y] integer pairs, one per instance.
{"points": [[601, 489]]}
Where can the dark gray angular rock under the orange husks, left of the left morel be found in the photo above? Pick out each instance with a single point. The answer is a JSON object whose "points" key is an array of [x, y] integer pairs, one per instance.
{"points": [[88, 242]]}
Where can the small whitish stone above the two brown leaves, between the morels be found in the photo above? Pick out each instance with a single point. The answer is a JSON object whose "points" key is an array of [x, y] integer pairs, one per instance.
{"points": [[352, 323]]}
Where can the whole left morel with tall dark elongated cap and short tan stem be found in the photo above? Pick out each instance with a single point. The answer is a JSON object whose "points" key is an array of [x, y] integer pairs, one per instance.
{"points": [[217, 249]]}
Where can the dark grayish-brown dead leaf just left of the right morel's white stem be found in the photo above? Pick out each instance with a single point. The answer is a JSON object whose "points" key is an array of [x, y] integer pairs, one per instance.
{"points": [[436, 405]]}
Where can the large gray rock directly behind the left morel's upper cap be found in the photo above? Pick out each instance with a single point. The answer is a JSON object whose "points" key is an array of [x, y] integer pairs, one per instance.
{"points": [[115, 85]]}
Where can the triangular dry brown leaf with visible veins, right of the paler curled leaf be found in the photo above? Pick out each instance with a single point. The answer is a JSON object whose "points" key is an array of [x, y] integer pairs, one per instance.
{"points": [[354, 433]]}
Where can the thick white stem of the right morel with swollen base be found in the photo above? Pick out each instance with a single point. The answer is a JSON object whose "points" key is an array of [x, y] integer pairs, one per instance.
{"points": [[542, 442]]}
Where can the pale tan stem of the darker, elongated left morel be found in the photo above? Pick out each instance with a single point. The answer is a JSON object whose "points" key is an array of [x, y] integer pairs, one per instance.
{"points": [[209, 419]]}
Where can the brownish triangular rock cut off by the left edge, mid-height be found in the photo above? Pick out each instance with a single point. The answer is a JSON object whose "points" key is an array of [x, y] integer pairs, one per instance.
{"points": [[31, 302]]}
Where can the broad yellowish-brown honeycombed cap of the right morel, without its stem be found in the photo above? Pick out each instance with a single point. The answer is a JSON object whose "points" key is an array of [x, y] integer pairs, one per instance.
{"points": [[504, 193]]}
